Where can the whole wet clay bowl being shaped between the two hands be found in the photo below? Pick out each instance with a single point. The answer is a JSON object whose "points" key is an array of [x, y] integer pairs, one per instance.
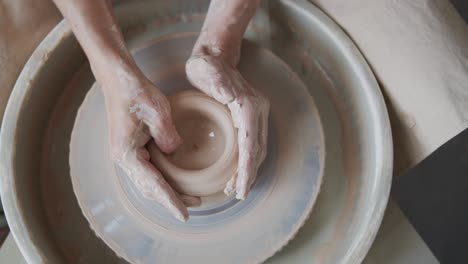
{"points": [[207, 157]]}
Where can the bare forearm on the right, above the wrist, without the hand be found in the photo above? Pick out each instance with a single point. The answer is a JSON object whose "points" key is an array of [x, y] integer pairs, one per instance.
{"points": [[224, 27]]}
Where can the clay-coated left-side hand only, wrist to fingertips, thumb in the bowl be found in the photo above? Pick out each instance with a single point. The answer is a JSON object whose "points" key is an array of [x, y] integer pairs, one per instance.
{"points": [[137, 113]]}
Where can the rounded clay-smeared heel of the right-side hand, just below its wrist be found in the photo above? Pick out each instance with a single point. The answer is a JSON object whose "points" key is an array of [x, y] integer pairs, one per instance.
{"points": [[210, 76]]}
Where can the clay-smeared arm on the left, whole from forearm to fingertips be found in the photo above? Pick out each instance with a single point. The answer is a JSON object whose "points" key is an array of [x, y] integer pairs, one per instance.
{"points": [[137, 111]]}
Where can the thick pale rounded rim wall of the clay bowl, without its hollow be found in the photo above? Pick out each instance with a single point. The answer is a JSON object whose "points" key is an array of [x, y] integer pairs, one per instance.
{"points": [[214, 177]]}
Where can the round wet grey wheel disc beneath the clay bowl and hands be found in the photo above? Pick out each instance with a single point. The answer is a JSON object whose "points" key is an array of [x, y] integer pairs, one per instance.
{"points": [[222, 229]]}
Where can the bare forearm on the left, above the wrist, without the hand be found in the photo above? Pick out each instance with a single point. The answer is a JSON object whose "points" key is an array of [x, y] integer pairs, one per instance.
{"points": [[94, 25]]}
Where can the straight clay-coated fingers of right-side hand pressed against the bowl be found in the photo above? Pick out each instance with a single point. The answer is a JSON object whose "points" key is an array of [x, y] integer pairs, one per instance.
{"points": [[246, 119]]}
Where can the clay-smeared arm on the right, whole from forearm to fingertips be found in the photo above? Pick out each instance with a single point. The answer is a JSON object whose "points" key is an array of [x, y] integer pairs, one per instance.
{"points": [[212, 69]]}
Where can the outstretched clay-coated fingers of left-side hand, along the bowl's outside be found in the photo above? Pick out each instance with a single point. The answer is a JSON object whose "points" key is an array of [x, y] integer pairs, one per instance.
{"points": [[152, 185]]}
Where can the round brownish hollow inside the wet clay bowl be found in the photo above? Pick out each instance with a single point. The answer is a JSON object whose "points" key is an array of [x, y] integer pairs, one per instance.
{"points": [[203, 141]]}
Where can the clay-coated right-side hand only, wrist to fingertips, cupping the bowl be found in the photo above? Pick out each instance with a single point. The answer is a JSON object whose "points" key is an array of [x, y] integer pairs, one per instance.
{"points": [[249, 110]]}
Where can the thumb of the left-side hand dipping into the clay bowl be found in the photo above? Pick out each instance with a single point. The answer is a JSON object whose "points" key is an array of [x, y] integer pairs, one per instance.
{"points": [[165, 134]]}
